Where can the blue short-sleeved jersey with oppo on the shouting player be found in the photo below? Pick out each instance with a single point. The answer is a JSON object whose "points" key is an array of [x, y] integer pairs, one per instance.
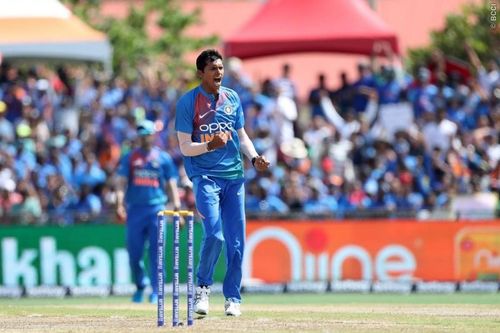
{"points": [[199, 114]]}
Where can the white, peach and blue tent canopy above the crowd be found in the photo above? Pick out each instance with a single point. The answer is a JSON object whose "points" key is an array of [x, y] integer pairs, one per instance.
{"points": [[45, 29]]}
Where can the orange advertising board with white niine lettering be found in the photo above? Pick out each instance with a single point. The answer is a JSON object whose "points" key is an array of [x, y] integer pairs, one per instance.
{"points": [[372, 250]]}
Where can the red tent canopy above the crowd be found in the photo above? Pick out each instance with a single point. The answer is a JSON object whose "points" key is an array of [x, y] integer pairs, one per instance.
{"points": [[292, 26]]}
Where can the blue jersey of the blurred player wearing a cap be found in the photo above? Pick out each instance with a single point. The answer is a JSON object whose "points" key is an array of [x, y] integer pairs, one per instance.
{"points": [[147, 174]]}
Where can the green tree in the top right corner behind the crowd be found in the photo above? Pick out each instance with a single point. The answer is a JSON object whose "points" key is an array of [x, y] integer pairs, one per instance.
{"points": [[472, 26]]}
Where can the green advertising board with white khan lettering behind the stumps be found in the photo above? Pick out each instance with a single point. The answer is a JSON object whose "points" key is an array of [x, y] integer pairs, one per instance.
{"points": [[80, 255]]}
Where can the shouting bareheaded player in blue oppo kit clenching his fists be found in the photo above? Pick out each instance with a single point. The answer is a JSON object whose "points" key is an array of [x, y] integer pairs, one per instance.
{"points": [[210, 128]]}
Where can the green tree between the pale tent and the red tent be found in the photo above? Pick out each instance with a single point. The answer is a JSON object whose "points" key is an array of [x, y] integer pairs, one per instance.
{"points": [[133, 47]]}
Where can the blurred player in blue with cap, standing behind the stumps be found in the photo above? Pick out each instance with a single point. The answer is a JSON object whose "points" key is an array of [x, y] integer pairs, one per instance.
{"points": [[148, 174]]}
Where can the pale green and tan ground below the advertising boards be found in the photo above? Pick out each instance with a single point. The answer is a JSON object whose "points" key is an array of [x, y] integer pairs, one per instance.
{"points": [[264, 313]]}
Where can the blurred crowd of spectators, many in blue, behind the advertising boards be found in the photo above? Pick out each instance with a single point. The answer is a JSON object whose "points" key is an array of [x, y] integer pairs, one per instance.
{"points": [[383, 142]]}
